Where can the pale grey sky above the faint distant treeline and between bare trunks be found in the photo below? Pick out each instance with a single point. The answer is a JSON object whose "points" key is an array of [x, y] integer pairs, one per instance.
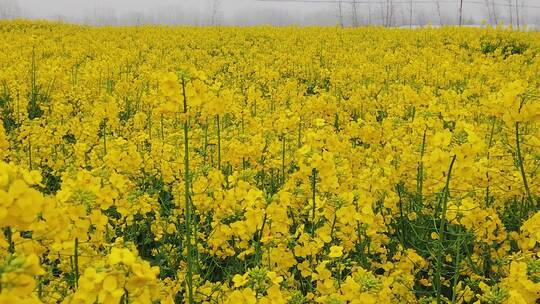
{"points": [[253, 8]]}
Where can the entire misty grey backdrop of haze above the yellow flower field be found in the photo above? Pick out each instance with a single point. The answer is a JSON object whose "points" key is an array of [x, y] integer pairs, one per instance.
{"points": [[250, 12]]}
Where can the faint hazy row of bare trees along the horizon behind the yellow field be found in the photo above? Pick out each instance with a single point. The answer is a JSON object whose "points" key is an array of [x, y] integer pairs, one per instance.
{"points": [[390, 13]]}
